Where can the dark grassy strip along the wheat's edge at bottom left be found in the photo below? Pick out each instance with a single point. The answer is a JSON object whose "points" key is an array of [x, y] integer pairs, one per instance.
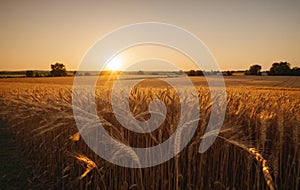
{"points": [[13, 174]]}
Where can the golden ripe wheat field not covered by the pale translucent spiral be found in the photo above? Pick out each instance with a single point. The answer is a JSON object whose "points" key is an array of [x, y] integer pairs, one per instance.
{"points": [[258, 146]]}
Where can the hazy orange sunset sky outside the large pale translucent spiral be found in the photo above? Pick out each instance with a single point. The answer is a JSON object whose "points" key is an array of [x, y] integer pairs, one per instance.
{"points": [[240, 33]]}
